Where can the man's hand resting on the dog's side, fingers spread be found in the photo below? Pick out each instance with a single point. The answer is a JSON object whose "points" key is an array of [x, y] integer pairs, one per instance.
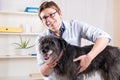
{"points": [[84, 62]]}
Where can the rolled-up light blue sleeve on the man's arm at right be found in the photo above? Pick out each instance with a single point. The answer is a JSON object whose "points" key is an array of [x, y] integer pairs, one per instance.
{"points": [[92, 33]]}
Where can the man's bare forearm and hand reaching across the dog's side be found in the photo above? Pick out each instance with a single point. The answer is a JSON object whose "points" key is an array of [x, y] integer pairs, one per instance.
{"points": [[85, 60]]}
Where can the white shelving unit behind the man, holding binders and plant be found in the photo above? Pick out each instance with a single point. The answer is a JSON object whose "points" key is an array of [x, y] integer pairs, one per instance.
{"points": [[12, 65]]}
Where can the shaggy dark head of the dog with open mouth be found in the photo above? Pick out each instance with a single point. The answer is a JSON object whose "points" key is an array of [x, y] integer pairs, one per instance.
{"points": [[51, 46]]}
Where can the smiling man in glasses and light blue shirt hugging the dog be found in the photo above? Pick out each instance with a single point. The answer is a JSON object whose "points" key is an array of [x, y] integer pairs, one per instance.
{"points": [[72, 31]]}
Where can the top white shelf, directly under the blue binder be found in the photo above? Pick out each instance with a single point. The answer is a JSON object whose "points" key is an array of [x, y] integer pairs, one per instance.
{"points": [[18, 13]]}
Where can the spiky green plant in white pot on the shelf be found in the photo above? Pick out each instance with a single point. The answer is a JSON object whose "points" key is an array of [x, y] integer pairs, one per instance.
{"points": [[23, 46]]}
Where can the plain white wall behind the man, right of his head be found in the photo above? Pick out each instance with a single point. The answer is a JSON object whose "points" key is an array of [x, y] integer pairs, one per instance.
{"points": [[96, 12]]}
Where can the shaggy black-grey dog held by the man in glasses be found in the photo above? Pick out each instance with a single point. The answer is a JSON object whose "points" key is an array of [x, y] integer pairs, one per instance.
{"points": [[107, 63]]}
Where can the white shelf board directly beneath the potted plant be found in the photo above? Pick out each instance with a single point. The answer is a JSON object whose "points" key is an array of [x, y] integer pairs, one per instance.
{"points": [[16, 56]]}
